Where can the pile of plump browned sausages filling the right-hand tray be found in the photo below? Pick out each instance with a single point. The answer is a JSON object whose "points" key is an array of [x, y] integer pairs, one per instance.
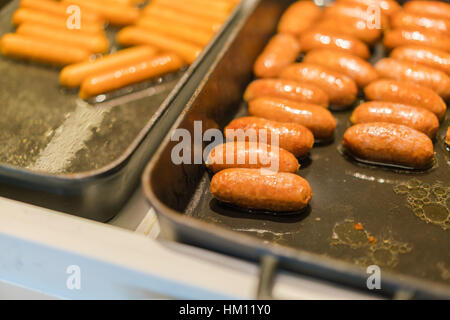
{"points": [[405, 93]]}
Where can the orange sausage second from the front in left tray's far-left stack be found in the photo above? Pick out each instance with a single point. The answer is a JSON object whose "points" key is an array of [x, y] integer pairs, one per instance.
{"points": [[94, 43]]}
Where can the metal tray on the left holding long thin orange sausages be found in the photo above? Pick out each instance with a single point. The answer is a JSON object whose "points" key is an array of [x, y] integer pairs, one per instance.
{"points": [[60, 152]]}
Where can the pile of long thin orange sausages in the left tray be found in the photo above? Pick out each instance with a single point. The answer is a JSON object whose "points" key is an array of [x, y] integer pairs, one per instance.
{"points": [[164, 36]]}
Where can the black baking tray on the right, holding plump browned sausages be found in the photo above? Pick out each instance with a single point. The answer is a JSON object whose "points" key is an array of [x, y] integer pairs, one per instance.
{"points": [[407, 212]]}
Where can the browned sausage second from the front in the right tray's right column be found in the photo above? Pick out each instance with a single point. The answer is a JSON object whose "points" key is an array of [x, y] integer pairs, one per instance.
{"points": [[414, 117]]}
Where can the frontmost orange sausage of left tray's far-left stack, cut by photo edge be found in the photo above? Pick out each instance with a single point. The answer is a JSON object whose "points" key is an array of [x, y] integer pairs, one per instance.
{"points": [[24, 47]]}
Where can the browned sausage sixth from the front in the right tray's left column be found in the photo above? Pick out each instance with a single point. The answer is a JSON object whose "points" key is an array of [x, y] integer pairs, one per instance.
{"points": [[341, 89]]}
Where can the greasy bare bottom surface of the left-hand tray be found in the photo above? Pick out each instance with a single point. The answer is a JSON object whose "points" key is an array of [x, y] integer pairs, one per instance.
{"points": [[48, 128]]}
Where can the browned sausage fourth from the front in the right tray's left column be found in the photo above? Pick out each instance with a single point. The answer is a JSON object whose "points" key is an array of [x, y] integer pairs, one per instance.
{"points": [[316, 118]]}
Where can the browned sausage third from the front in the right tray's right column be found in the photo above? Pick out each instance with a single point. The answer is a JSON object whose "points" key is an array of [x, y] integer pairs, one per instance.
{"points": [[406, 93]]}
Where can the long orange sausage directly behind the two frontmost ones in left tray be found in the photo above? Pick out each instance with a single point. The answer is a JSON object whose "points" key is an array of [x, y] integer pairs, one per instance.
{"points": [[140, 36]]}
